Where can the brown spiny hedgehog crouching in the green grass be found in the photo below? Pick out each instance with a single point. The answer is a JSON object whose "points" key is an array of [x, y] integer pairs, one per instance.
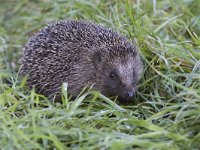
{"points": [[81, 53]]}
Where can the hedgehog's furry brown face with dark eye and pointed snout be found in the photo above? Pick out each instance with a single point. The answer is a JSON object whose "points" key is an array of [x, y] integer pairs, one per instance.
{"points": [[121, 75]]}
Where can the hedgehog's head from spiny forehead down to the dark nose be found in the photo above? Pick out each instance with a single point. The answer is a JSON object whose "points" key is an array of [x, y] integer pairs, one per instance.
{"points": [[118, 71]]}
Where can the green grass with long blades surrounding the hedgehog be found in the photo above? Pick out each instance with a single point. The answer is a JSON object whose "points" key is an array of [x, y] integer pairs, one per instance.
{"points": [[166, 113]]}
